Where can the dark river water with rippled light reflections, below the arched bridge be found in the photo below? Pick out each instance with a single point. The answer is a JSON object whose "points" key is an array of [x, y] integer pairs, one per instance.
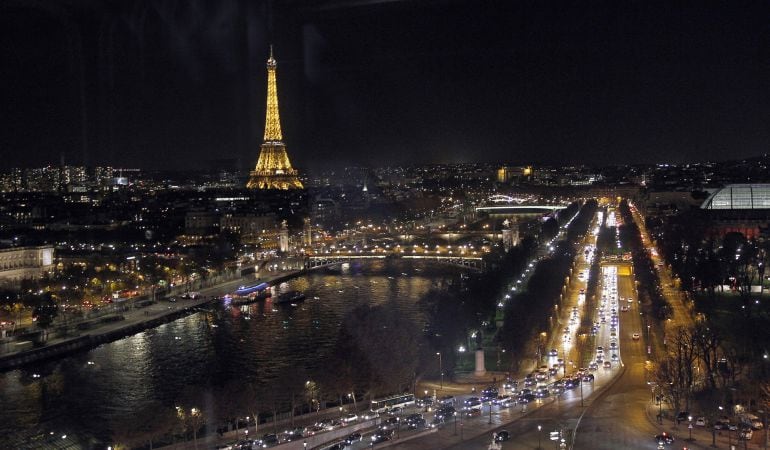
{"points": [[83, 395]]}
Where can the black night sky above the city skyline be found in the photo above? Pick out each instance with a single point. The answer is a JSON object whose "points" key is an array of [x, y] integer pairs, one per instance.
{"points": [[181, 84]]}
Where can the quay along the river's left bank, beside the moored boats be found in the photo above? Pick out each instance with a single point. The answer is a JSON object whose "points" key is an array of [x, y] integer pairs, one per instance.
{"points": [[126, 322]]}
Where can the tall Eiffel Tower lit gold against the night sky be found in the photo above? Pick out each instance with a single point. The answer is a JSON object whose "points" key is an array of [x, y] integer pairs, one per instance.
{"points": [[273, 170]]}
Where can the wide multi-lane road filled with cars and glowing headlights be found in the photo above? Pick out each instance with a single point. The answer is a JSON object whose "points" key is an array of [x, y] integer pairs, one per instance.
{"points": [[616, 409]]}
